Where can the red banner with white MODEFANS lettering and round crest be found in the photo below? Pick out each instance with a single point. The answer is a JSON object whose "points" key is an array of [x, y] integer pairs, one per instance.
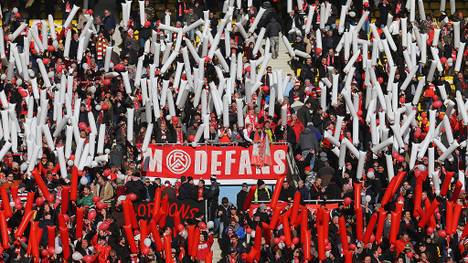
{"points": [[226, 162]]}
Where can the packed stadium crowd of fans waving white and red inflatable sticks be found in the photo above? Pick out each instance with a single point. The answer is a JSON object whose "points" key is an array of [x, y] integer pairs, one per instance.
{"points": [[421, 219]]}
